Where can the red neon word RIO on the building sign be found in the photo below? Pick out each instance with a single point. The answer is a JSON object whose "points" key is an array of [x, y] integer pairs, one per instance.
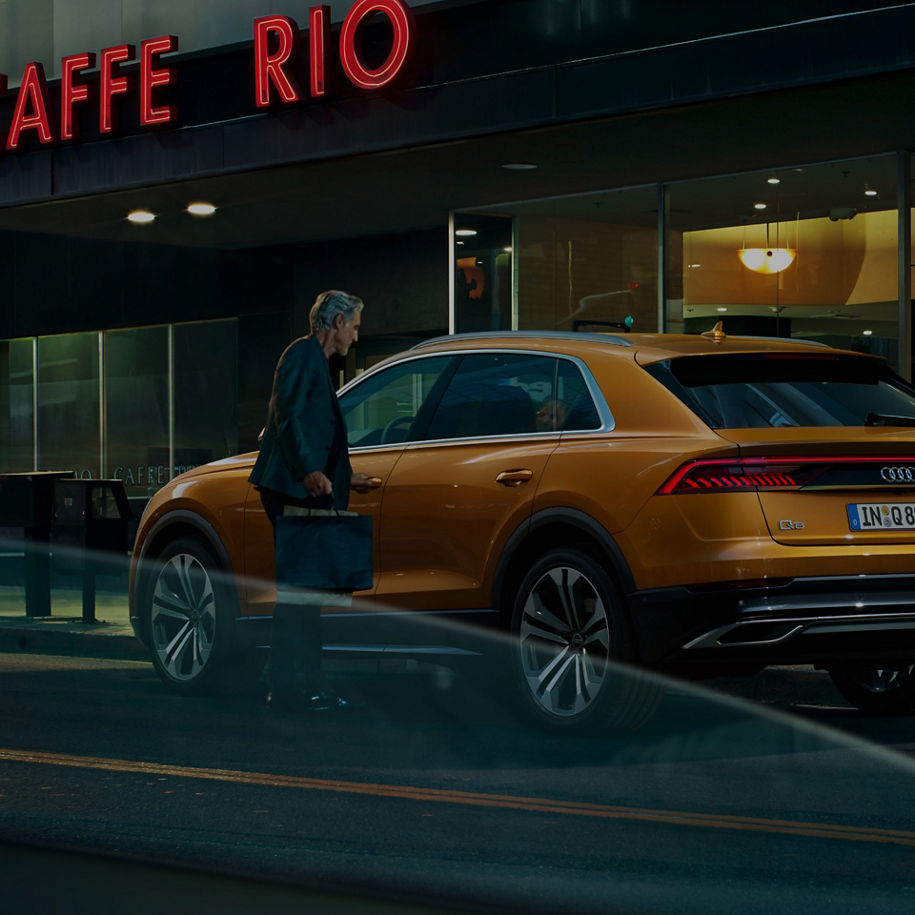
{"points": [[275, 46]]}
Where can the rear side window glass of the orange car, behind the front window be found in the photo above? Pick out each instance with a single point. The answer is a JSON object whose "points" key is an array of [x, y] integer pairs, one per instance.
{"points": [[512, 394]]}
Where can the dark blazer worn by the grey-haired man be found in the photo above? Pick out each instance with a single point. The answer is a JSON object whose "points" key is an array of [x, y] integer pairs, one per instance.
{"points": [[305, 429]]}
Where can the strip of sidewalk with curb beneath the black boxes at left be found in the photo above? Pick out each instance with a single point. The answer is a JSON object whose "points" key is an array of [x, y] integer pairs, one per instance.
{"points": [[64, 632]]}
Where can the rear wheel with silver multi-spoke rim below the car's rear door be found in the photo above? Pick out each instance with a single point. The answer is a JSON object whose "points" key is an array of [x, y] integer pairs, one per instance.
{"points": [[568, 635]]}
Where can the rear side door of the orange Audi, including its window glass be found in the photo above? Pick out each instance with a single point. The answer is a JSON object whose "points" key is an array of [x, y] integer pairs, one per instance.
{"points": [[466, 483]]}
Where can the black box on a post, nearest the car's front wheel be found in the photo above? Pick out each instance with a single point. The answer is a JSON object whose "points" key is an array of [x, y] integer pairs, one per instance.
{"points": [[90, 519]]}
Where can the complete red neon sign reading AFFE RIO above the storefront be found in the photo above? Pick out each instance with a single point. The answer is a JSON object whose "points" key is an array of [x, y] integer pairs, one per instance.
{"points": [[284, 73]]}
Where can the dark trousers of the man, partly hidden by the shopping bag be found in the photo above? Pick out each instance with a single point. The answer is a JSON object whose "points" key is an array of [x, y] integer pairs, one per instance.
{"points": [[296, 644]]}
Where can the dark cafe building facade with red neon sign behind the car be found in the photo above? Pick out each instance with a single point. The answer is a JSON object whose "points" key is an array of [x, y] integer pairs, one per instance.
{"points": [[179, 180]]}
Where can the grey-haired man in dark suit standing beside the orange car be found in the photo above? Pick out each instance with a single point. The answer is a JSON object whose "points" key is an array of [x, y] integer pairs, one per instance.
{"points": [[304, 460]]}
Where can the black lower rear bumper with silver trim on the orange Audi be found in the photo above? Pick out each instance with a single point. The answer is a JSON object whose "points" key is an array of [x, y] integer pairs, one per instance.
{"points": [[804, 621]]}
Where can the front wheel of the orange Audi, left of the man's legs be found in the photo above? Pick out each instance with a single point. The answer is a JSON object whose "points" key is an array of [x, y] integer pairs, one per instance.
{"points": [[188, 616]]}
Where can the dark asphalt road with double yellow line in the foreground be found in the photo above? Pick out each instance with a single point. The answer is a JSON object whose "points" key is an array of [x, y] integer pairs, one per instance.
{"points": [[431, 791]]}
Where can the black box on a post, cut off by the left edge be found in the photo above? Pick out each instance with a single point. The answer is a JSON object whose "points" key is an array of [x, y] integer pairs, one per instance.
{"points": [[26, 501]]}
